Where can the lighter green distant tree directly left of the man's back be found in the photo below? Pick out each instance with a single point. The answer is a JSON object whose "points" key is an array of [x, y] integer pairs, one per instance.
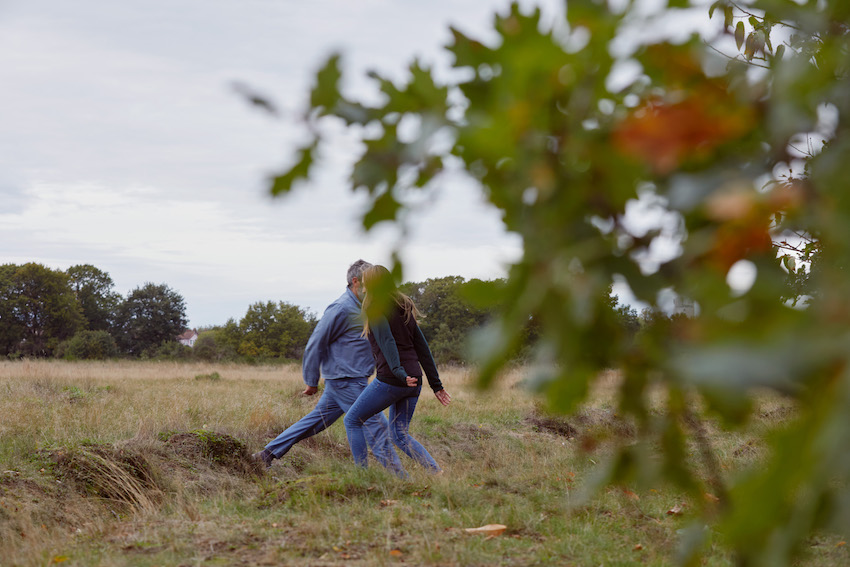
{"points": [[275, 330]]}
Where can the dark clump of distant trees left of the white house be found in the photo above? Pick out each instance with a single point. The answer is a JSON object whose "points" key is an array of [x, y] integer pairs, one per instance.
{"points": [[76, 313]]}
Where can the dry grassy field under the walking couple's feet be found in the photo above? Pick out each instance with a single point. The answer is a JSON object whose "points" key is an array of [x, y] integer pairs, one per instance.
{"points": [[130, 463]]}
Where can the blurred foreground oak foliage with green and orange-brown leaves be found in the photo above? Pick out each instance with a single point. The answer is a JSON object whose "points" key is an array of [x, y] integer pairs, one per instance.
{"points": [[559, 149]]}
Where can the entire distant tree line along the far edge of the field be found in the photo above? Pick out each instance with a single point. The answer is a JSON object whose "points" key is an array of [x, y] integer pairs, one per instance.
{"points": [[77, 314]]}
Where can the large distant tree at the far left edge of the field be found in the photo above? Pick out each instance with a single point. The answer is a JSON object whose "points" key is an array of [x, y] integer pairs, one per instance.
{"points": [[39, 309]]}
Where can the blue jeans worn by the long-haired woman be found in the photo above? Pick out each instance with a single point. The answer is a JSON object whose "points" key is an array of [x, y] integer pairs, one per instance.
{"points": [[402, 403]]}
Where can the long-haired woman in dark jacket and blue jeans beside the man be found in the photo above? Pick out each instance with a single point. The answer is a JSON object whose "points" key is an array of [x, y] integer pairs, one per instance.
{"points": [[399, 349]]}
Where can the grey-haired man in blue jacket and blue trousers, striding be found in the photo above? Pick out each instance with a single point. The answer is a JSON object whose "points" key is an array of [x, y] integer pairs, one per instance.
{"points": [[338, 353]]}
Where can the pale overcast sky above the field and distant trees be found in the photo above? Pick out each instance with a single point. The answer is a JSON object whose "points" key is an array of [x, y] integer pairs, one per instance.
{"points": [[124, 145]]}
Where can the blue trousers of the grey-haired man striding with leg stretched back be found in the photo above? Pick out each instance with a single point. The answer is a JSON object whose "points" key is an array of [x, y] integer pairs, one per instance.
{"points": [[337, 398]]}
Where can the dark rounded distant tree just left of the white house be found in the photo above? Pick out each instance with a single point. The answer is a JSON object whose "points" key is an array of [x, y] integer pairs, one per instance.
{"points": [[150, 315]]}
